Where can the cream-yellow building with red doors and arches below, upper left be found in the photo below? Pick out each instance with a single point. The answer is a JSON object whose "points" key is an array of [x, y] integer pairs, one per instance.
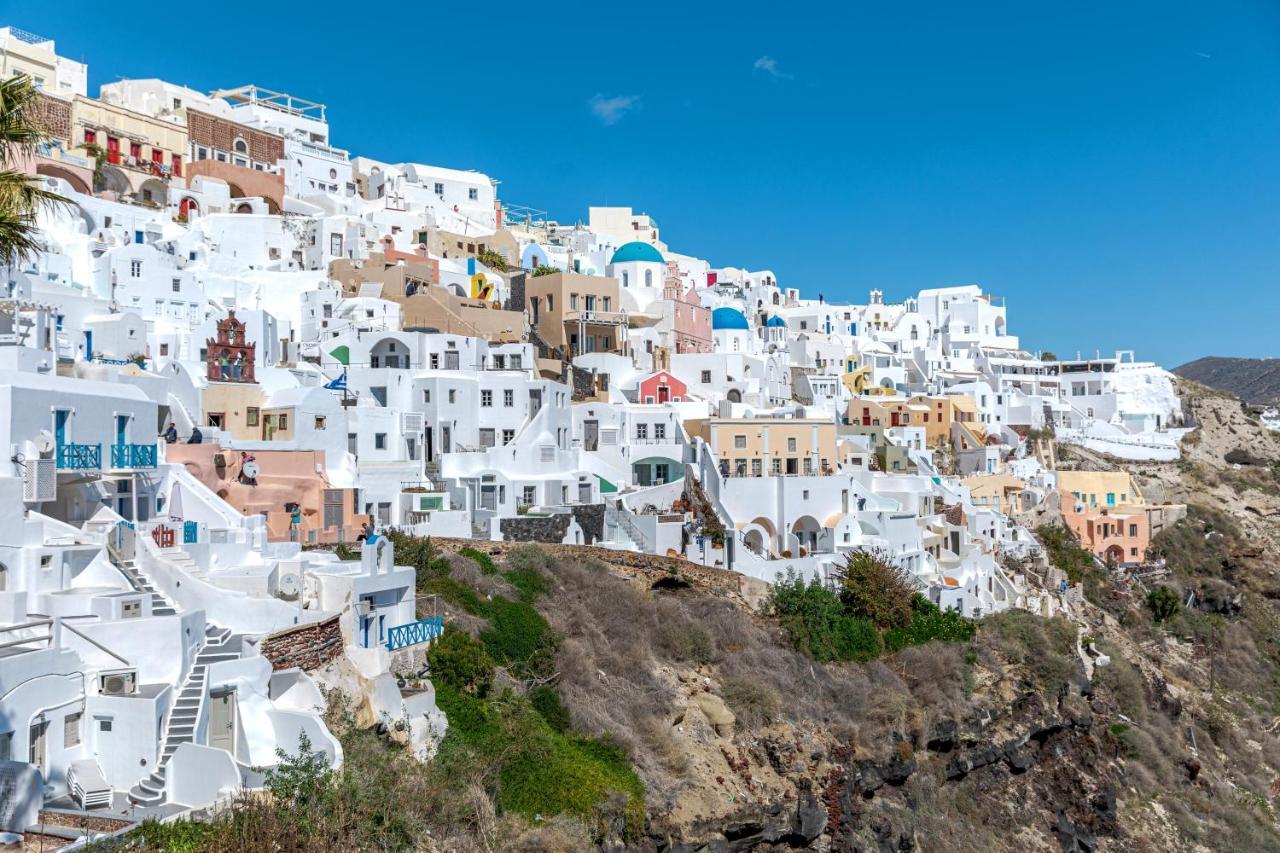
{"points": [[140, 154]]}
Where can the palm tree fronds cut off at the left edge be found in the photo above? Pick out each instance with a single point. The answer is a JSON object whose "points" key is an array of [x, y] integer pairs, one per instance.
{"points": [[21, 198]]}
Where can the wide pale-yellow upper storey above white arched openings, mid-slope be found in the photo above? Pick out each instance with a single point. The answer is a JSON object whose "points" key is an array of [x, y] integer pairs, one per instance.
{"points": [[771, 446]]}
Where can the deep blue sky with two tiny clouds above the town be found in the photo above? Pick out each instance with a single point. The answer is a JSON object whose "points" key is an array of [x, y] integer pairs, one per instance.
{"points": [[1110, 168]]}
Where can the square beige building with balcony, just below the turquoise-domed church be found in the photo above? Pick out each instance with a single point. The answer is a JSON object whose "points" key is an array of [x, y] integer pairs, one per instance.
{"points": [[577, 314]]}
